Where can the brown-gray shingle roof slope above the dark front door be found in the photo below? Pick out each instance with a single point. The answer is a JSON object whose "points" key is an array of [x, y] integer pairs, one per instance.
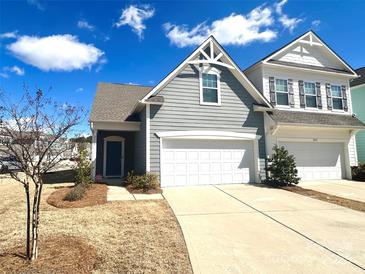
{"points": [[116, 102]]}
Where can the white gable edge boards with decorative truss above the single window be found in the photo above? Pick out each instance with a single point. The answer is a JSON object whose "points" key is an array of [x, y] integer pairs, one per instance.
{"points": [[211, 52]]}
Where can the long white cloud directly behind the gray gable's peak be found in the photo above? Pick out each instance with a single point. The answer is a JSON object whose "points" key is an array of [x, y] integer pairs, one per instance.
{"points": [[235, 29]]}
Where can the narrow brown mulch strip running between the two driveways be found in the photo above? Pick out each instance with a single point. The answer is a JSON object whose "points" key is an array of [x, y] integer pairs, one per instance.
{"points": [[352, 204]]}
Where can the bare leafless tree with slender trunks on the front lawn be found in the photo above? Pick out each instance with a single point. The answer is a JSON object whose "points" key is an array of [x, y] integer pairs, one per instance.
{"points": [[33, 131]]}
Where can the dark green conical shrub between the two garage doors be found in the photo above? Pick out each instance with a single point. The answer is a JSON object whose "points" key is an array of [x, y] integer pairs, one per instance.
{"points": [[282, 168]]}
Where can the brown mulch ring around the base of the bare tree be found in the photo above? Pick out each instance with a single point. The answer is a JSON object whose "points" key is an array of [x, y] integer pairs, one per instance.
{"points": [[62, 254]]}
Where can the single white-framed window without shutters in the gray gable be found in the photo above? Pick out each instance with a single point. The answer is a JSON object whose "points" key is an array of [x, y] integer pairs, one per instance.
{"points": [[210, 89]]}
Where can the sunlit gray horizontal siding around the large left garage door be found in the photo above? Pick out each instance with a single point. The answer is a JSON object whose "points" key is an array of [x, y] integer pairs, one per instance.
{"points": [[182, 111]]}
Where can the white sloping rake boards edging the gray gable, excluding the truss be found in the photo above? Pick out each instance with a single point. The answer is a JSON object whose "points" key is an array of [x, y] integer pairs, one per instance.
{"points": [[236, 70]]}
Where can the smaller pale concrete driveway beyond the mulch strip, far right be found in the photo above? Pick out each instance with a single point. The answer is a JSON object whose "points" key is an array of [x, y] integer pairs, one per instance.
{"points": [[343, 188]]}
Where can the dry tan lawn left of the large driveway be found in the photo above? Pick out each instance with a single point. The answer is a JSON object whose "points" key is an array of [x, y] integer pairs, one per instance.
{"points": [[129, 237]]}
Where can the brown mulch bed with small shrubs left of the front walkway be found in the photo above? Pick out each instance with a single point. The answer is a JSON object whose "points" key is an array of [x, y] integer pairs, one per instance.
{"points": [[95, 195]]}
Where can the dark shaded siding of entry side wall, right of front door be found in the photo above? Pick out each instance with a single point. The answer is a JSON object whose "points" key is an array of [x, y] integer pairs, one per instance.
{"points": [[140, 145]]}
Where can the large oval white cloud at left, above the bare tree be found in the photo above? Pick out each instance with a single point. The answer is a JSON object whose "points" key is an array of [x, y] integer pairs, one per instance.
{"points": [[56, 52]]}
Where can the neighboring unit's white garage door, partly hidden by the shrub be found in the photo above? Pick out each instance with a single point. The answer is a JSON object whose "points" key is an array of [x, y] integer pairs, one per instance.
{"points": [[316, 161]]}
